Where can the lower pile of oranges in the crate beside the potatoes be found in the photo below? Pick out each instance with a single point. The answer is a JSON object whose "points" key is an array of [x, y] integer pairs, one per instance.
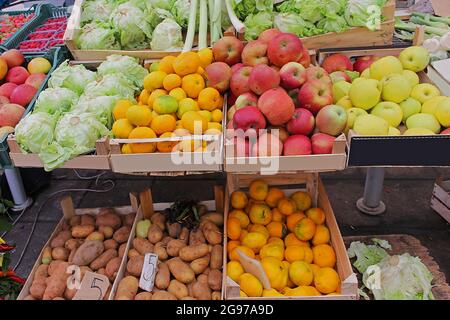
{"points": [[289, 238]]}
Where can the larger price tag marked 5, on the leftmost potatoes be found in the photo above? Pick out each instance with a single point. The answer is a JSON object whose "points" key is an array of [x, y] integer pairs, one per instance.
{"points": [[93, 287]]}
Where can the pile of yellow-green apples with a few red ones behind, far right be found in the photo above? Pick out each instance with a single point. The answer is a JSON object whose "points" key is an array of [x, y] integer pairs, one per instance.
{"points": [[387, 98]]}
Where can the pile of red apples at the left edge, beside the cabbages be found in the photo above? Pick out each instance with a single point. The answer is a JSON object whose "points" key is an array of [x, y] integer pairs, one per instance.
{"points": [[19, 86]]}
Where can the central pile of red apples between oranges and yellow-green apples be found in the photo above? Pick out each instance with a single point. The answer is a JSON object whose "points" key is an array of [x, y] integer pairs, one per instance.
{"points": [[279, 103]]}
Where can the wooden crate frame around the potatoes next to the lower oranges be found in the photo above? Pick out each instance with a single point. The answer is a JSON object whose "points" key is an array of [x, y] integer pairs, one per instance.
{"points": [[147, 210]]}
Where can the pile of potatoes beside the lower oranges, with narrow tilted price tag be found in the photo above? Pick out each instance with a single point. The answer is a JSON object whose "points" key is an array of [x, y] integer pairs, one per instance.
{"points": [[189, 261]]}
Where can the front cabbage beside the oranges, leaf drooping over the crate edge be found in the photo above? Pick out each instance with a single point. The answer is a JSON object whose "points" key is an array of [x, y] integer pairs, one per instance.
{"points": [[75, 134]]}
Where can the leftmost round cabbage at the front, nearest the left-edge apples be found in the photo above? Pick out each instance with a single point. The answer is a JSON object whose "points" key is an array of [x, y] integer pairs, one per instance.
{"points": [[35, 131]]}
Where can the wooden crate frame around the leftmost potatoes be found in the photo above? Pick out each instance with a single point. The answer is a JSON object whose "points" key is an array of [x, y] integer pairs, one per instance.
{"points": [[68, 212]]}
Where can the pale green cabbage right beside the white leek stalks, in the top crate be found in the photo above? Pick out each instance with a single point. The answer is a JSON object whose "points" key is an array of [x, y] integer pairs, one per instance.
{"points": [[167, 36]]}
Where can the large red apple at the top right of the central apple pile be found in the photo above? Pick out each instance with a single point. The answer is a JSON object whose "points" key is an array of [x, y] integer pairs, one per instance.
{"points": [[284, 48]]}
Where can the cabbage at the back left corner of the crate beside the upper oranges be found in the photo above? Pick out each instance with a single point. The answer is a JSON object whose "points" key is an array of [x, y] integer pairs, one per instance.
{"points": [[74, 78]]}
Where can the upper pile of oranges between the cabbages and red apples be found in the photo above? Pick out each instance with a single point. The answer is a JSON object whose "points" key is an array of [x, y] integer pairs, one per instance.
{"points": [[175, 102]]}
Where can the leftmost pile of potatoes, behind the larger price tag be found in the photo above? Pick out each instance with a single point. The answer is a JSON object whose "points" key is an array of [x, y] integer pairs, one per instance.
{"points": [[95, 243]]}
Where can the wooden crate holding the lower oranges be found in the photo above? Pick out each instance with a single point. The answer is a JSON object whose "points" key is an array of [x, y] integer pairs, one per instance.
{"points": [[315, 187]]}
